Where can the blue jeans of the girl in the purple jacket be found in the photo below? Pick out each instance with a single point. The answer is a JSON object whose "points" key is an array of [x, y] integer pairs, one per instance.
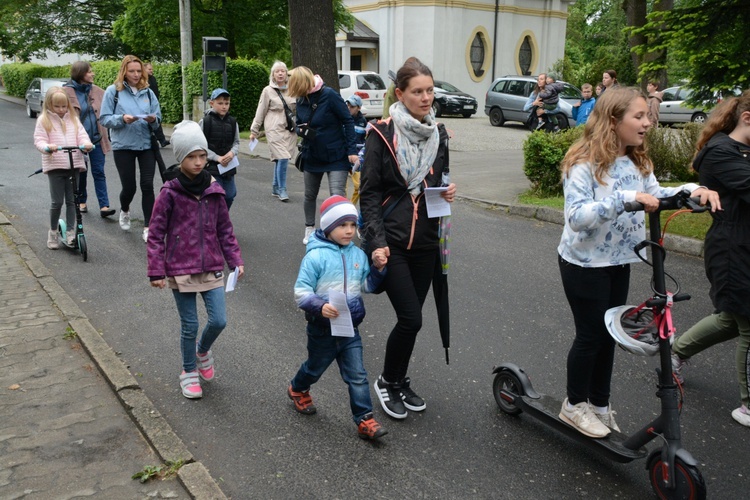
{"points": [[217, 320]]}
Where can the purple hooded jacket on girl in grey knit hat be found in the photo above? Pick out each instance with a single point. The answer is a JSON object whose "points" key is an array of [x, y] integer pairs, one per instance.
{"points": [[188, 235]]}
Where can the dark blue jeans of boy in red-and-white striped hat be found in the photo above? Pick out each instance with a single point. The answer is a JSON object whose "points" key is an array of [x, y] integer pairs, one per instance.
{"points": [[322, 349]]}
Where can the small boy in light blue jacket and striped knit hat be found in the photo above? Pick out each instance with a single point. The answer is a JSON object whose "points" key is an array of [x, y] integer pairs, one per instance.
{"points": [[333, 262]]}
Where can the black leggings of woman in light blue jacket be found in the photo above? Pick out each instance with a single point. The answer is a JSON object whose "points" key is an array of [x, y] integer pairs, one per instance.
{"points": [[125, 163]]}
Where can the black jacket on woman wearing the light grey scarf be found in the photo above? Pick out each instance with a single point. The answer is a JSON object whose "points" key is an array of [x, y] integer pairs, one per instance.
{"points": [[407, 225]]}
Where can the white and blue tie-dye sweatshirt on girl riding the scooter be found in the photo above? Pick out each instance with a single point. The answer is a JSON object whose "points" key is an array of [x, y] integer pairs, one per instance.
{"points": [[598, 232]]}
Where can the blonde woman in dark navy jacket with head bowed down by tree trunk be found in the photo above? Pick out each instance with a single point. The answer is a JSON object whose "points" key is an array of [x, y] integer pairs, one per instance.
{"points": [[328, 144]]}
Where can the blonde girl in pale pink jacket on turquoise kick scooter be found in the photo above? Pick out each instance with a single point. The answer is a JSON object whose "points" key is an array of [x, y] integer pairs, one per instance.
{"points": [[57, 126]]}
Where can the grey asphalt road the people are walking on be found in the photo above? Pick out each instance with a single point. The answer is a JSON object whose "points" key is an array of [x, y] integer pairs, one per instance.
{"points": [[507, 304]]}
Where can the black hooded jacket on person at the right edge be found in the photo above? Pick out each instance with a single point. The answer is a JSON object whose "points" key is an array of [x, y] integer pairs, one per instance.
{"points": [[724, 166]]}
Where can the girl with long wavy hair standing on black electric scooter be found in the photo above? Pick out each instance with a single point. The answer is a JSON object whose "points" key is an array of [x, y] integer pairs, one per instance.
{"points": [[606, 168]]}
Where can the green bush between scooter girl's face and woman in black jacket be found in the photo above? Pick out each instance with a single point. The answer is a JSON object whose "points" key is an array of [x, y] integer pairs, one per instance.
{"points": [[672, 150]]}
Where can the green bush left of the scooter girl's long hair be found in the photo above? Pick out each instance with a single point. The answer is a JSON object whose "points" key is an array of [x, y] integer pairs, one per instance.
{"points": [[542, 153]]}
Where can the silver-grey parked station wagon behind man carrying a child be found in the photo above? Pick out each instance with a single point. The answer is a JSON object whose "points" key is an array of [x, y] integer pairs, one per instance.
{"points": [[507, 96]]}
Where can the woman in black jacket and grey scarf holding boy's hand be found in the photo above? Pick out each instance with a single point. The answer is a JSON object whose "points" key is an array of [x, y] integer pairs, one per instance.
{"points": [[404, 155]]}
